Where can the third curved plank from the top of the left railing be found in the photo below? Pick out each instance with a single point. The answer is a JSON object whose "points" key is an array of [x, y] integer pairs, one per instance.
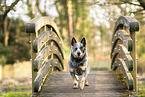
{"points": [[44, 54]]}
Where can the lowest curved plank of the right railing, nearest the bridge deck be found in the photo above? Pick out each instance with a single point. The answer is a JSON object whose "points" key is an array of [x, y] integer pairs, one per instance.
{"points": [[124, 69]]}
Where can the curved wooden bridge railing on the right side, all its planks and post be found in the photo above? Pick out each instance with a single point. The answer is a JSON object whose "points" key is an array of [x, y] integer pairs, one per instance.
{"points": [[123, 52]]}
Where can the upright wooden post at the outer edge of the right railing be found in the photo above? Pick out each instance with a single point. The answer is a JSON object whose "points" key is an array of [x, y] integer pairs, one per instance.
{"points": [[133, 54]]}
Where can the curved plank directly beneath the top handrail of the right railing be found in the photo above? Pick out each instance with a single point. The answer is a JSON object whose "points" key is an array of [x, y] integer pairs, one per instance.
{"points": [[124, 37]]}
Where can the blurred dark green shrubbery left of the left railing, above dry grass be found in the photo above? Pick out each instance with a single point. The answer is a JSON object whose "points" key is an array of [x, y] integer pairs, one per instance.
{"points": [[18, 46]]}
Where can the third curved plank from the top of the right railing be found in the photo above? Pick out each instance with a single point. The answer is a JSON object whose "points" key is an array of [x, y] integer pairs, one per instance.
{"points": [[123, 53]]}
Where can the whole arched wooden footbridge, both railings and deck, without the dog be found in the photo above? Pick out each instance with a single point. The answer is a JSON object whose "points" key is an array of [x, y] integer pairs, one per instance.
{"points": [[47, 58]]}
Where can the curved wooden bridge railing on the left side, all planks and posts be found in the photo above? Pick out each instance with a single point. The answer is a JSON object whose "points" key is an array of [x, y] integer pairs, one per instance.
{"points": [[46, 50]]}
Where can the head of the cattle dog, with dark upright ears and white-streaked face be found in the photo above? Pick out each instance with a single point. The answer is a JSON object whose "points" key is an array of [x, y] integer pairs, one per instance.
{"points": [[78, 49]]}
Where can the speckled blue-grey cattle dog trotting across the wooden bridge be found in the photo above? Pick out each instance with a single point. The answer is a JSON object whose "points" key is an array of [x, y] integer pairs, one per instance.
{"points": [[78, 63]]}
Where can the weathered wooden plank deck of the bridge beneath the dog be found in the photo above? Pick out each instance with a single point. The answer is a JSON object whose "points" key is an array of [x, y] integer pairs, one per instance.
{"points": [[102, 83]]}
